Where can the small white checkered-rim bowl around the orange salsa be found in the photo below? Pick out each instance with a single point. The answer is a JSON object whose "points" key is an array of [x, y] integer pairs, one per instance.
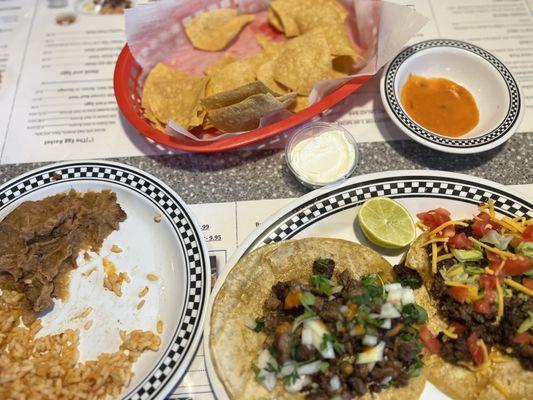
{"points": [[495, 90]]}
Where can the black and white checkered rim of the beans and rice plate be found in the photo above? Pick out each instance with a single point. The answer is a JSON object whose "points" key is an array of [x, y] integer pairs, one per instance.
{"points": [[186, 337]]}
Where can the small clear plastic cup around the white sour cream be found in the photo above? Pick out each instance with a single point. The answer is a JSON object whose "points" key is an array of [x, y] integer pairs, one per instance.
{"points": [[313, 130]]}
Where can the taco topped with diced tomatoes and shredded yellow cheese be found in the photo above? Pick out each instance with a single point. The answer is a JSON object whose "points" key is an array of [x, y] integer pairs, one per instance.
{"points": [[478, 272]]}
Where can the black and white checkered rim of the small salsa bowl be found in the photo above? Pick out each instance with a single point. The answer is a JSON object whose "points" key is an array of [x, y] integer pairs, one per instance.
{"points": [[505, 126]]}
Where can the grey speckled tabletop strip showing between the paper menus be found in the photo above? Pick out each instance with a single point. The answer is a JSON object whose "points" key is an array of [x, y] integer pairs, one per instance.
{"points": [[255, 175]]}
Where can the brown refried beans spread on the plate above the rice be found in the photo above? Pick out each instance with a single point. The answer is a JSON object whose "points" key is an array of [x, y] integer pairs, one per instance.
{"points": [[40, 241]]}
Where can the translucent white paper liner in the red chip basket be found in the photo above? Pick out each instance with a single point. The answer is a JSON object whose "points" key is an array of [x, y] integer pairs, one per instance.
{"points": [[155, 34]]}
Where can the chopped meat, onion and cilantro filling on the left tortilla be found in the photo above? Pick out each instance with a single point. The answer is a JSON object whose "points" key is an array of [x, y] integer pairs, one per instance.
{"points": [[342, 338]]}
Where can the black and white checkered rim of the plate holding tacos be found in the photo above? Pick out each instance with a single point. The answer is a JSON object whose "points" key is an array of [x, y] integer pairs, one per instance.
{"points": [[355, 194]]}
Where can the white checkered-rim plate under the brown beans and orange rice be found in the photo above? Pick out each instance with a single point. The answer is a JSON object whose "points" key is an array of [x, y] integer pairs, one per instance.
{"points": [[172, 248]]}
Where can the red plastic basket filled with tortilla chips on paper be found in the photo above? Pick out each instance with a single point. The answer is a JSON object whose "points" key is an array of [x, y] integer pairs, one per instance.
{"points": [[211, 77]]}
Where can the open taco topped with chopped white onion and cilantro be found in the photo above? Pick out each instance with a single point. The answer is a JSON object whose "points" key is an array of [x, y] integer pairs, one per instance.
{"points": [[317, 319]]}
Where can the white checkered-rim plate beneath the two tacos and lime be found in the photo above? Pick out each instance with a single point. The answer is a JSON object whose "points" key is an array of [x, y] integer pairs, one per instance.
{"points": [[332, 212]]}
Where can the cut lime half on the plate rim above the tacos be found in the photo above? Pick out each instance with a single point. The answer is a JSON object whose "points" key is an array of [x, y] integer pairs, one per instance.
{"points": [[387, 223]]}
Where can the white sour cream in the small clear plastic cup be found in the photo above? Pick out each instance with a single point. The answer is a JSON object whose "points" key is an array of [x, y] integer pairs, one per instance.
{"points": [[324, 158]]}
